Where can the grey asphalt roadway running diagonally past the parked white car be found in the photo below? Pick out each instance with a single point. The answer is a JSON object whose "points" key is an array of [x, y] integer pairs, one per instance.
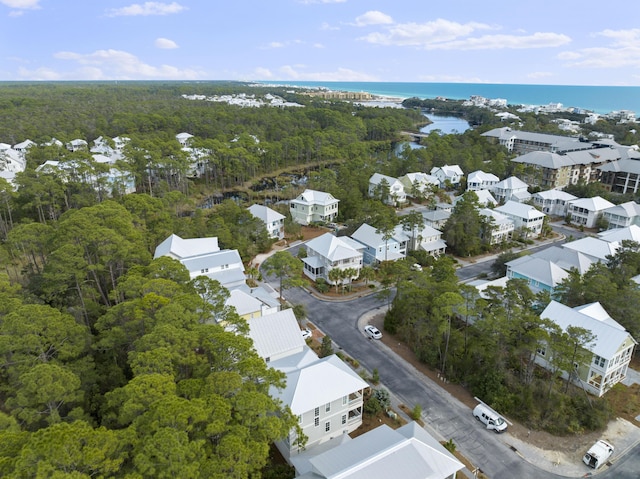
{"points": [[448, 417]]}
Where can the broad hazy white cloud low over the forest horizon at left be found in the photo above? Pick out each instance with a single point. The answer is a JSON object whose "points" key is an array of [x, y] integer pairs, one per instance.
{"points": [[120, 65]]}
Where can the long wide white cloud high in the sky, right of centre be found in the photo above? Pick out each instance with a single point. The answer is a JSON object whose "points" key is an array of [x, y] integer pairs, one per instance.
{"points": [[447, 35]]}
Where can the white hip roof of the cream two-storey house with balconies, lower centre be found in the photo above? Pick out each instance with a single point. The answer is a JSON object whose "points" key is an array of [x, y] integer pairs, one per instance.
{"points": [[320, 382]]}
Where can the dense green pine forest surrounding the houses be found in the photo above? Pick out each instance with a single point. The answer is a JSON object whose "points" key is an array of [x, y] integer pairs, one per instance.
{"points": [[110, 363]]}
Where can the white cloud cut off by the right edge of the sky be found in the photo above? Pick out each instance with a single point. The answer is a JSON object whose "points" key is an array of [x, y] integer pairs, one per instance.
{"points": [[623, 51]]}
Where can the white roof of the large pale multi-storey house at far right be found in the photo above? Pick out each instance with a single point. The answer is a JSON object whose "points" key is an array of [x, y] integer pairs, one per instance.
{"points": [[610, 335]]}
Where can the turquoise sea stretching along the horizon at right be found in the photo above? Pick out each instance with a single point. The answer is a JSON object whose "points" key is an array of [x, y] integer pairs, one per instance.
{"points": [[599, 99]]}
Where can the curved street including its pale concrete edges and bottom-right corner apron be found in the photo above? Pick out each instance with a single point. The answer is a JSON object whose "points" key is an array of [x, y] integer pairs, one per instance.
{"points": [[498, 456]]}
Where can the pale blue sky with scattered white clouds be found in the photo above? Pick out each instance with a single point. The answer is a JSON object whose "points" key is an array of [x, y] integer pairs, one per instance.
{"points": [[563, 42]]}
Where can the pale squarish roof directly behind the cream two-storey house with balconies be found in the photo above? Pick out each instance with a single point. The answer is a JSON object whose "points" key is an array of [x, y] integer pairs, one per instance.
{"points": [[276, 334]]}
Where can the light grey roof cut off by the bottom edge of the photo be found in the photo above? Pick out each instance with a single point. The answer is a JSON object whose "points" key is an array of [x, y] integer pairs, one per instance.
{"points": [[408, 453]]}
